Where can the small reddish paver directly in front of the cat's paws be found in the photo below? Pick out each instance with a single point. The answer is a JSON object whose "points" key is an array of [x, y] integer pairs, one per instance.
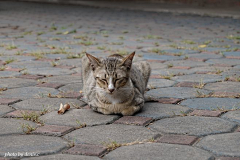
{"points": [[142, 121]]}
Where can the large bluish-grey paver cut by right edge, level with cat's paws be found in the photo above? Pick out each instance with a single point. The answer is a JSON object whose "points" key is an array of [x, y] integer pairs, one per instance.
{"points": [[211, 103]]}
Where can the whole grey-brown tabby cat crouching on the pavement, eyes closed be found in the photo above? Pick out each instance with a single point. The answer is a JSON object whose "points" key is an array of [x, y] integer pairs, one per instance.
{"points": [[114, 85]]}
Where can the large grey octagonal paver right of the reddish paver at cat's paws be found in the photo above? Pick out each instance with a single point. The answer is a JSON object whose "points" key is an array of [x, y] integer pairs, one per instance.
{"points": [[193, 125]]}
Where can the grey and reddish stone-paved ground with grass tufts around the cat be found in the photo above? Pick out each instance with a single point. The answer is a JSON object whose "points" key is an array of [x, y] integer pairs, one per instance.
{"points": [[192, 109]]}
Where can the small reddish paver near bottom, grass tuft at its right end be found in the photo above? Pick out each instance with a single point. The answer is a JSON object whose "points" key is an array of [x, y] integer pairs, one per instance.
{"points": [[87, 149]]}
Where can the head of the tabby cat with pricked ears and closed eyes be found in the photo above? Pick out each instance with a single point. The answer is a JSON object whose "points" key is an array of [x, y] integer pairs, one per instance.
{"points": [[111, 74]]}
